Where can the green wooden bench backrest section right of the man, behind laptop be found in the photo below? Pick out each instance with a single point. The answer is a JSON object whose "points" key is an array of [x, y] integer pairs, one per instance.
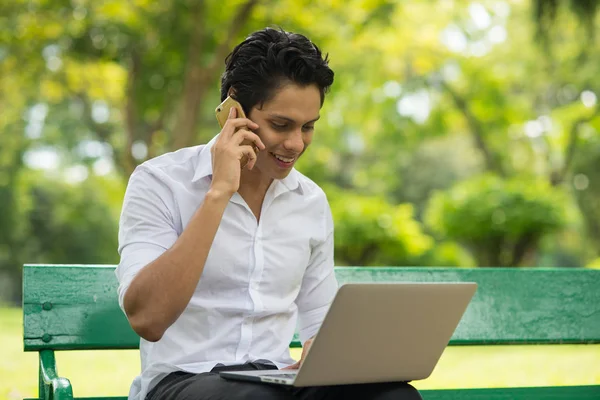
{"points": [[512, 305]]}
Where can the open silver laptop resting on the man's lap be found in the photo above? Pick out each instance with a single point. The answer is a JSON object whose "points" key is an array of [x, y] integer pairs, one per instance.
{"points": [[377, 332]]}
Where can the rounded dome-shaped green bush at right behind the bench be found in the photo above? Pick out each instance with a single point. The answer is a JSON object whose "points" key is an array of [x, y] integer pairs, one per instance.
{"points": [[499, 220]]}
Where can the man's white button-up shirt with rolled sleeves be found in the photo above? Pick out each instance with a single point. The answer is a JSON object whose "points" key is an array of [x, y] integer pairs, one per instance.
{"points": [[260, 281]]}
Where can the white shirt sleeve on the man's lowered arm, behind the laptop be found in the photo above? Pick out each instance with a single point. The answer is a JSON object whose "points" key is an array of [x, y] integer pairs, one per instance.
{"points": [[319, 284]]}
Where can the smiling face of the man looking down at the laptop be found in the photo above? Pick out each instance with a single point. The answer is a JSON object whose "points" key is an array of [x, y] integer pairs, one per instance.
{"points": [[286, 125]]}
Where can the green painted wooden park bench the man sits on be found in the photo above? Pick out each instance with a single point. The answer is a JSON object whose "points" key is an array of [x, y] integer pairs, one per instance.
{"points": [[74, 307]]}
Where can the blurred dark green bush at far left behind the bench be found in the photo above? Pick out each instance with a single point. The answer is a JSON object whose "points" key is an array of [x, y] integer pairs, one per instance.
{"points": [[59, 223]]}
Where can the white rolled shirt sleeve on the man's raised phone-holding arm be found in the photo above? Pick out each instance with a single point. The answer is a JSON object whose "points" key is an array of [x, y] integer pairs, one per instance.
{"points": [[146, 226]]}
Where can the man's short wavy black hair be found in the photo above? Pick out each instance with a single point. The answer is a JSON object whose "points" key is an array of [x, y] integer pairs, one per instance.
{"points": [[269, 59]]}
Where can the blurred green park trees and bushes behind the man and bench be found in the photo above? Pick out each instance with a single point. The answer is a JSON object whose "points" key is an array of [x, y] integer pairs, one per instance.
{"points": [[457, 133]]}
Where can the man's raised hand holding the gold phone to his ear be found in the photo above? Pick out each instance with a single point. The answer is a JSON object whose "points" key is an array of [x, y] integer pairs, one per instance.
{"points": [[229, 150]]}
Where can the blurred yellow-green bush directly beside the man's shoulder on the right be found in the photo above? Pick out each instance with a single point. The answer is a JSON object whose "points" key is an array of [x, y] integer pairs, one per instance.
{"points": [[370, 231]]}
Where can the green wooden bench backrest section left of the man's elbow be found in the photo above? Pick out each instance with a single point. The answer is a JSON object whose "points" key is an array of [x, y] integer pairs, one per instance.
{"points": [[74, 307]]}
